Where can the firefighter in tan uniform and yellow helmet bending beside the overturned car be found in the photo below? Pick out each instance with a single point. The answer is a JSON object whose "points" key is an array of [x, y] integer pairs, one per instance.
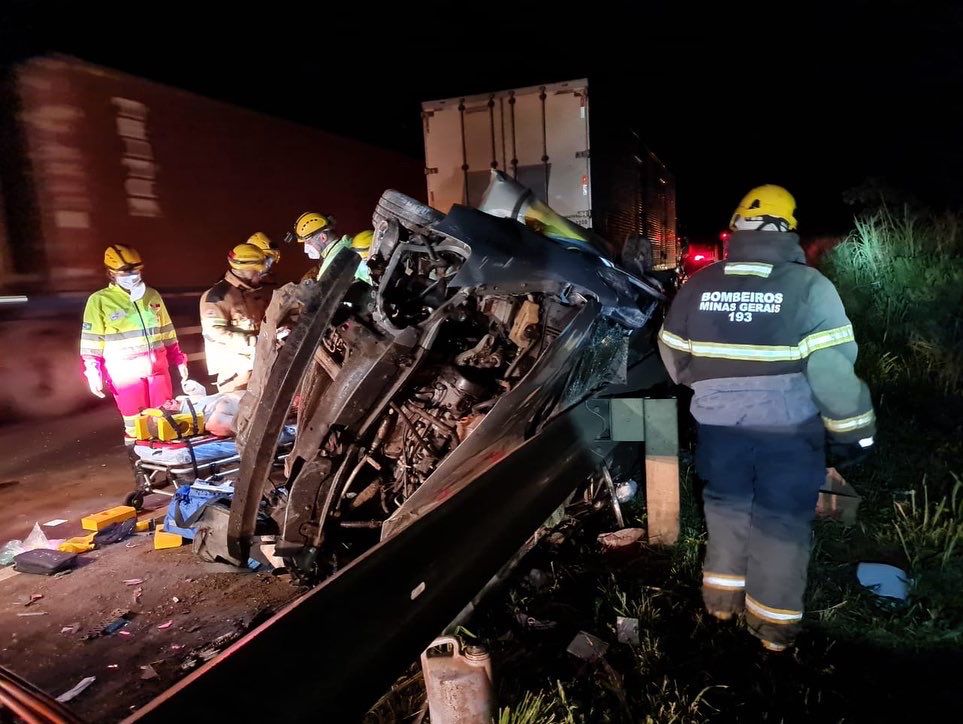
{"points": [[231, 314]]}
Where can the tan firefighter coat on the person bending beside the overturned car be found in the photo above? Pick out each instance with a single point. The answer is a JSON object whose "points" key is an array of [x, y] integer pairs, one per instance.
{"points": [[231, 314]]}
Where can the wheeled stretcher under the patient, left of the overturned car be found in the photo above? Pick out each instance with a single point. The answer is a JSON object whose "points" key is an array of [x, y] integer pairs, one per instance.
{"points": [[157, 464]]}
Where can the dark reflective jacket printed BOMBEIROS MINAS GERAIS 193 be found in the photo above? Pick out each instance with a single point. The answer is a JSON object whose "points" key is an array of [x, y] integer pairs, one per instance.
{"points": [[764, 342]]}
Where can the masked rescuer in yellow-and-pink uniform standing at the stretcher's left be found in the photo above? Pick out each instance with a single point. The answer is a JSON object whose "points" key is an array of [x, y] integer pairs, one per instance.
{"points": [[128, 340]]}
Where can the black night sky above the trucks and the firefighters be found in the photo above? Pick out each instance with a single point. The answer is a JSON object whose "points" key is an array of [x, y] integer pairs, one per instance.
{"points": [[818, 97]]}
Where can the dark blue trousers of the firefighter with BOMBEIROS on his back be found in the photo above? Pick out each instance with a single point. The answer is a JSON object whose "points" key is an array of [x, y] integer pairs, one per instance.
{"points": [[760, 500]]}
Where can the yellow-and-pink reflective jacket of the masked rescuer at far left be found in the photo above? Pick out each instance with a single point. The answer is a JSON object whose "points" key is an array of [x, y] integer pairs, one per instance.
{"points": [[125, 339]]}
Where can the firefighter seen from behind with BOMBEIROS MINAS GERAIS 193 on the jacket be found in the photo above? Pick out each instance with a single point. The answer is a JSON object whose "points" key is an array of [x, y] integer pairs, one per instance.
{"points": [[764, 342]]}
